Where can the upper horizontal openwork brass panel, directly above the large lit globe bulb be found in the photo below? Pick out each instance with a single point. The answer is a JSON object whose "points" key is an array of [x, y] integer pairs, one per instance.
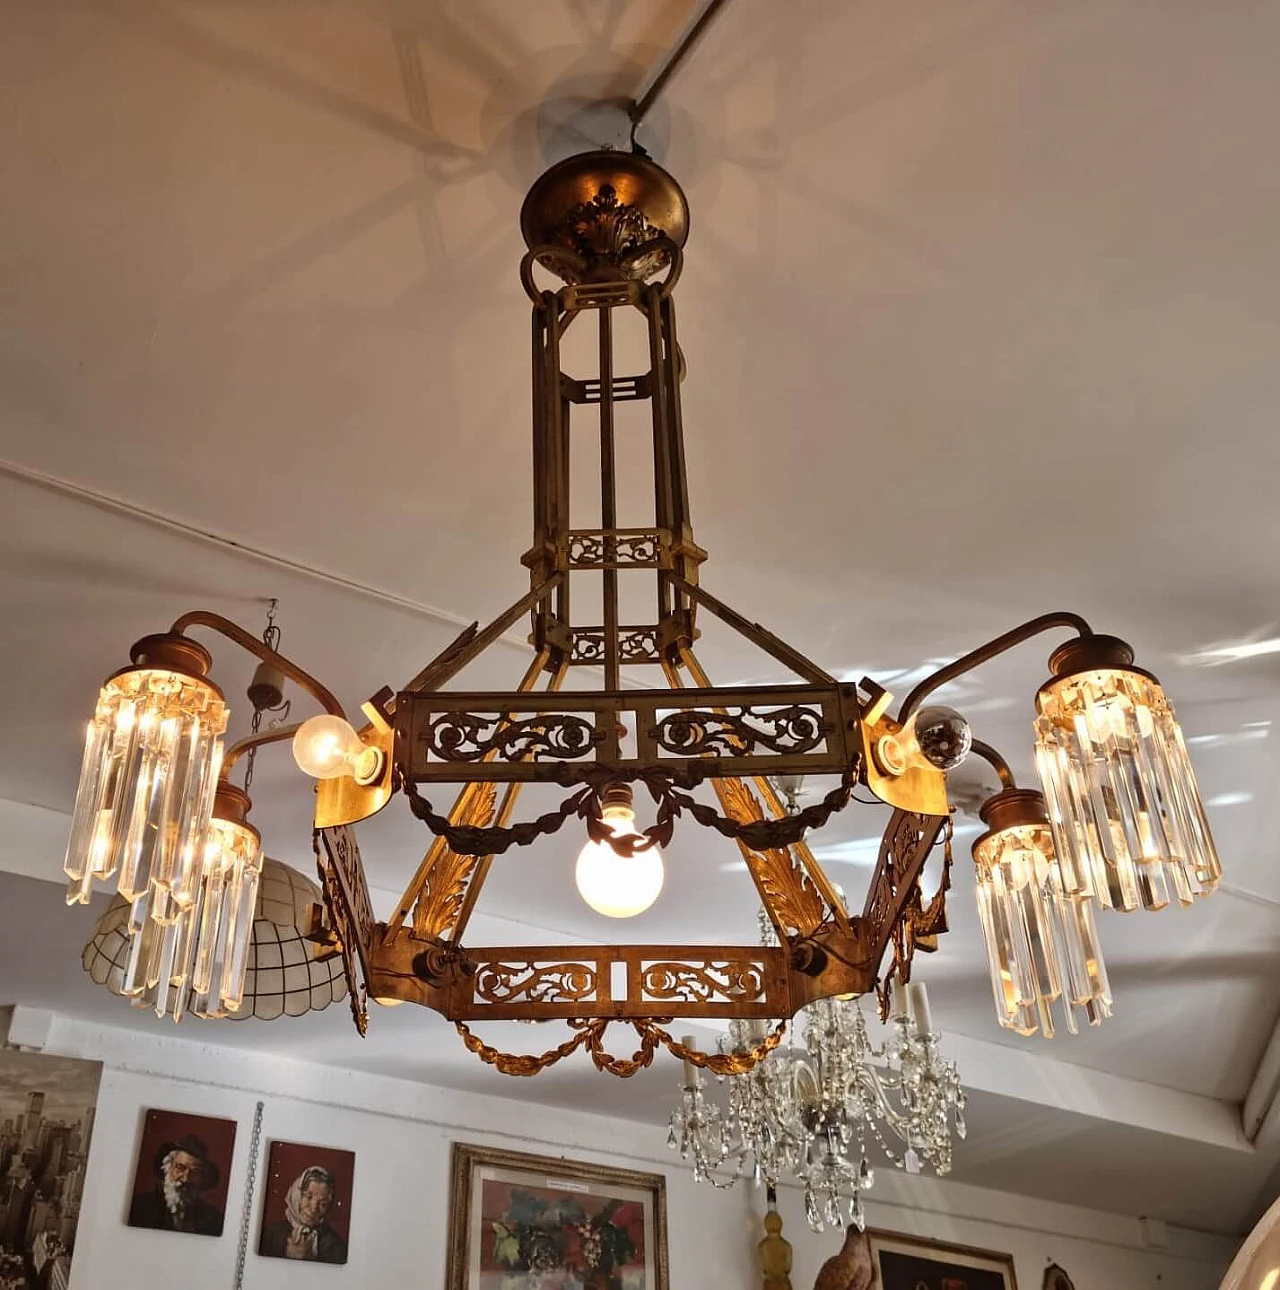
{"points": [[541, 737]]}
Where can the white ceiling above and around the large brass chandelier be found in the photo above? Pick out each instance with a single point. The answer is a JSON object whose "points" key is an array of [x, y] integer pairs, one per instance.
{"points": [[980, 308]]}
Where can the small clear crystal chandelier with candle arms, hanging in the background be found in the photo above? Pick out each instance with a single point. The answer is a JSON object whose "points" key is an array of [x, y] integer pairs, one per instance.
{"points": [[811, 1115]]}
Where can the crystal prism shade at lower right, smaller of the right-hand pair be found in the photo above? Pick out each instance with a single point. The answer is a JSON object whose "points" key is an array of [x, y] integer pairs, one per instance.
{"points": [[1042, 944]]}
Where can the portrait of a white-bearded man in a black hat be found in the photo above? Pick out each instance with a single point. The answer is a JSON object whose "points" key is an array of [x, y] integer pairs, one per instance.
{"points": [[180, 1182]]}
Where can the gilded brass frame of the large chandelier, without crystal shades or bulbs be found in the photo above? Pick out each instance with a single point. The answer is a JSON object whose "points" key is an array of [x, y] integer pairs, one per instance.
{"points": [[611, 255]]}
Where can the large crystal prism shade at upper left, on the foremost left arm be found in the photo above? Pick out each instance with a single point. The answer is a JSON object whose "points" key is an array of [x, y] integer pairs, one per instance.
{"points": [[146, 789]]}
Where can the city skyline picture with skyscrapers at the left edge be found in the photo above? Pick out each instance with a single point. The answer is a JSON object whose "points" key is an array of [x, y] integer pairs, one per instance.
{"points": [[47, 1106]]}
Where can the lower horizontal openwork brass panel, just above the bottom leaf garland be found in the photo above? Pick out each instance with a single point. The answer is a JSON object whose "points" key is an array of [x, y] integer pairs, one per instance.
{"points": [[623, 982]]}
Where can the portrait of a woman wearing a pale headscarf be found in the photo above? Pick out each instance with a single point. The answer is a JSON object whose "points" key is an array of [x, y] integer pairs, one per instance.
{"points": [[306, 1203]]}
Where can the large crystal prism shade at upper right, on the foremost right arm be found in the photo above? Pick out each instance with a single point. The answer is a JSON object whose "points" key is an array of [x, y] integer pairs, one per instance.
{"points": [[1128, 824]]}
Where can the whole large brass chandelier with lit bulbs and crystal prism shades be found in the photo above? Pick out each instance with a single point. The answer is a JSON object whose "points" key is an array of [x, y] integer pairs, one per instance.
{"points": [[1119, 824]]}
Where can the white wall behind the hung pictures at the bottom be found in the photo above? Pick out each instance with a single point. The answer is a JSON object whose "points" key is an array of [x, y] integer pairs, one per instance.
{"points": [[402, 1133]]}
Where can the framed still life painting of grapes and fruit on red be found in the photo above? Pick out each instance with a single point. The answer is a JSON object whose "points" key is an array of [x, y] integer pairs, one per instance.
{"points": [[522, 1222]]}
